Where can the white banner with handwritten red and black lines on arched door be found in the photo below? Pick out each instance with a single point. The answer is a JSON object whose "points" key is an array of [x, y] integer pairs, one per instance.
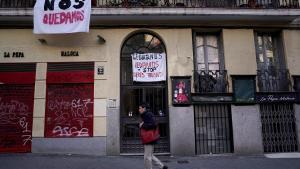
{"points": [[149, 67]]}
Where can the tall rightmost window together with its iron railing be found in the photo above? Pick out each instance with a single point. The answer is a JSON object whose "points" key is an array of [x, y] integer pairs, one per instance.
{"points": [[272, 74]]}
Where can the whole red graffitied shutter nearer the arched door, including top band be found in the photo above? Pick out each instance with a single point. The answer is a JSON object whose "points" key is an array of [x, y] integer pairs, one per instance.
{"points": [[69, 100]]}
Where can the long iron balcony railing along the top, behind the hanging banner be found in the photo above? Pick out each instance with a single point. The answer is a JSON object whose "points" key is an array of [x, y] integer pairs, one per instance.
{"points": [[171, 3]]}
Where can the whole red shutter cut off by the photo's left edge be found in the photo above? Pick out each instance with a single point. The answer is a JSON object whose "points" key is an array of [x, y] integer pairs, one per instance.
{"points": [[16, 106]]}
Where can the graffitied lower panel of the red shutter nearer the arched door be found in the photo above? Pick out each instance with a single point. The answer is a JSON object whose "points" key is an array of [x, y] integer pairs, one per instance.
{"points": [[69, 111]]}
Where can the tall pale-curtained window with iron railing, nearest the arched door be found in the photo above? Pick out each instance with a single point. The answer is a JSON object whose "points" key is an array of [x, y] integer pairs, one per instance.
{"points": [[210, 75]]}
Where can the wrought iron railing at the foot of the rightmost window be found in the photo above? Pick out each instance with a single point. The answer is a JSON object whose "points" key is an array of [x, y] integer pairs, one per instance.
{"points": [[273, 80]]}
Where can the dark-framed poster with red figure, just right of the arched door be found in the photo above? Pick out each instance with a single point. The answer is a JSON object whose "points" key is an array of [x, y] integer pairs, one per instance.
{"points": [[181, 90]]}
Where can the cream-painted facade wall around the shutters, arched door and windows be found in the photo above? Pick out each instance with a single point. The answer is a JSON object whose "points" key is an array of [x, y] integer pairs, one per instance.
{"points": [[239, 53]]}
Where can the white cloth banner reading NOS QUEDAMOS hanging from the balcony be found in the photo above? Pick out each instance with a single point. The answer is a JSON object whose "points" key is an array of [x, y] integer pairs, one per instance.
{"points": [[61, 16]]}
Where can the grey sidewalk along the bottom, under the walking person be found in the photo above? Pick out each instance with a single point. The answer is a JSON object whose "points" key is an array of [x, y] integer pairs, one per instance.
{"points": [[50, 161]]}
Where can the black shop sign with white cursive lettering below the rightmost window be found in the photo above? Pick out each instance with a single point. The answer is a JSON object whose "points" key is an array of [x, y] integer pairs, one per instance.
{"points": [[276, 97]]}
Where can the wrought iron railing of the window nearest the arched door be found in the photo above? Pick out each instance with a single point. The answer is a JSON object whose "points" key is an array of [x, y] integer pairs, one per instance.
{"points": [[211, 81]]}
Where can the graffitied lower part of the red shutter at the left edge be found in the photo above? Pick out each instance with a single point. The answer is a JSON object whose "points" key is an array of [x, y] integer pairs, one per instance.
{"points": [[16, 109]]}
